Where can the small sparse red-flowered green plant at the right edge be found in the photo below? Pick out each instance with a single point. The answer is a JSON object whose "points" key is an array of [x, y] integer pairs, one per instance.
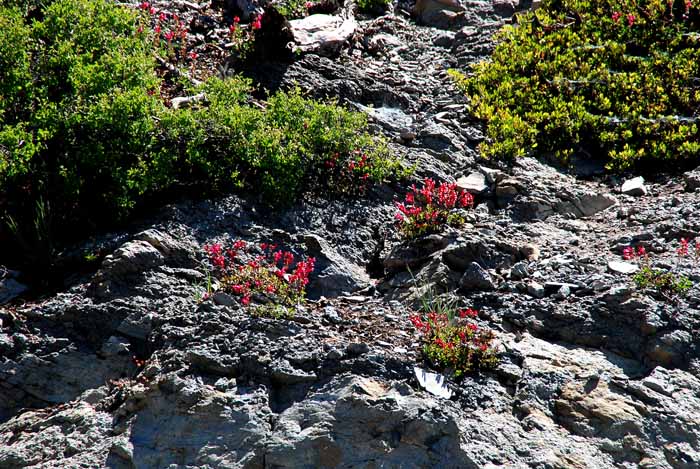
{"points": [[665, 282]]}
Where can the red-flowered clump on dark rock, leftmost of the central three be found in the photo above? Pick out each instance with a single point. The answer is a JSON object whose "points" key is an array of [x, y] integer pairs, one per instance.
{"points": [[269, 280]]}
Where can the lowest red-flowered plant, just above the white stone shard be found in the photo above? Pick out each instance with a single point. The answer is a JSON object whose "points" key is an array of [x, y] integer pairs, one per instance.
{"points": [[453, 343]]}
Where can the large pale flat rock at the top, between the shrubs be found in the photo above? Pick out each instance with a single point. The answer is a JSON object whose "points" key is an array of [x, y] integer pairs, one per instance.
{"points": [[322, 34]]}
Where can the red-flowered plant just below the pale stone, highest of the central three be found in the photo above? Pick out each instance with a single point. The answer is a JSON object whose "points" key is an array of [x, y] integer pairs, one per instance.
{"points": [[430, 209]]}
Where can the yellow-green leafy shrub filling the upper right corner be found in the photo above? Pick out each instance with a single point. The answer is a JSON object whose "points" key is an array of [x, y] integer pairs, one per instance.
{"points": [[593, 78]]}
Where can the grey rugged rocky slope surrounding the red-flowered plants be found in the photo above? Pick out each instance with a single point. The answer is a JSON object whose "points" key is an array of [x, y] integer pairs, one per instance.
{"points": [[128, 369]]}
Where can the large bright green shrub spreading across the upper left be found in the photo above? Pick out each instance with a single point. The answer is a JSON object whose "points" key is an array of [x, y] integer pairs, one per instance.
{"points": [[83, 126]]}
